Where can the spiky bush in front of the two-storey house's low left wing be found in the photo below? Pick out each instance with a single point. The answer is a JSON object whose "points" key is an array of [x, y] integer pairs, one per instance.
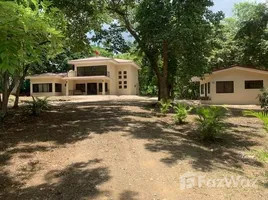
{"points": [[38, 105]]}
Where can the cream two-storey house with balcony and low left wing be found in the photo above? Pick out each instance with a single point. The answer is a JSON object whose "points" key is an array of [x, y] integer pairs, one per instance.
{"points": [[90, 76]]}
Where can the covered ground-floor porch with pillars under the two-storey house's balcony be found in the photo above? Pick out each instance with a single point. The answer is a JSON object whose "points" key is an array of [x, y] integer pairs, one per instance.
{"points": [[87, 85]]}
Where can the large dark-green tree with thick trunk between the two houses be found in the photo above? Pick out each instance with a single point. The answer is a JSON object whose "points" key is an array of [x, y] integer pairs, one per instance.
{"points": [[163, 28]]}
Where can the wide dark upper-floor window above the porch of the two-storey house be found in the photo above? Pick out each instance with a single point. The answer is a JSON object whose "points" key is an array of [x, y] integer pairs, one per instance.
{"points": [[92, 71]]}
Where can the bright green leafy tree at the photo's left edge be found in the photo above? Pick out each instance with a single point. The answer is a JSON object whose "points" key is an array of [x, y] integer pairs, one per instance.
{"points": [[26, 31]]}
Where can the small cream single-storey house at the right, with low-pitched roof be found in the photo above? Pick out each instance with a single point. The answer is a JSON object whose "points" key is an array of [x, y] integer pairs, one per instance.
{"points": [[235, 85]]}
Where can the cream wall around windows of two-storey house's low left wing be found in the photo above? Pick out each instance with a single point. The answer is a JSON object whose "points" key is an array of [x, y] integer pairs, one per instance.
{"points": [[46, 80]]}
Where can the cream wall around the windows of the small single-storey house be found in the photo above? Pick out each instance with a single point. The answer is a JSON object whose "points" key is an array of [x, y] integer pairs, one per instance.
{"points": [[240, 95]]}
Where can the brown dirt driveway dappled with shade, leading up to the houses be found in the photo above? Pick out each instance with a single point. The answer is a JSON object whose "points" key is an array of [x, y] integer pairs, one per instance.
{"points": [[122, 150]]}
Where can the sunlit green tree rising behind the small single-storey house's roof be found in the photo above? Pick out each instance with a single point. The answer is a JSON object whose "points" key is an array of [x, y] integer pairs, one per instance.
{"points": [[243, 38]]}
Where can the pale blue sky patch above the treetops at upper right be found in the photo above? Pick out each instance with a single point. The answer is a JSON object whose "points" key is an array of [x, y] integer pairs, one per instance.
{"points": [[227, 5]]}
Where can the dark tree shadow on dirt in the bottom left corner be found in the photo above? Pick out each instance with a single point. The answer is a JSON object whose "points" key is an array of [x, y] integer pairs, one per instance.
{"points": [[76, 181]]}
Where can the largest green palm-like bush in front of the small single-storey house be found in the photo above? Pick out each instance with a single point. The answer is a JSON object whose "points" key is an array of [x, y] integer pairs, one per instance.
{"points": [[211, 121]]}
